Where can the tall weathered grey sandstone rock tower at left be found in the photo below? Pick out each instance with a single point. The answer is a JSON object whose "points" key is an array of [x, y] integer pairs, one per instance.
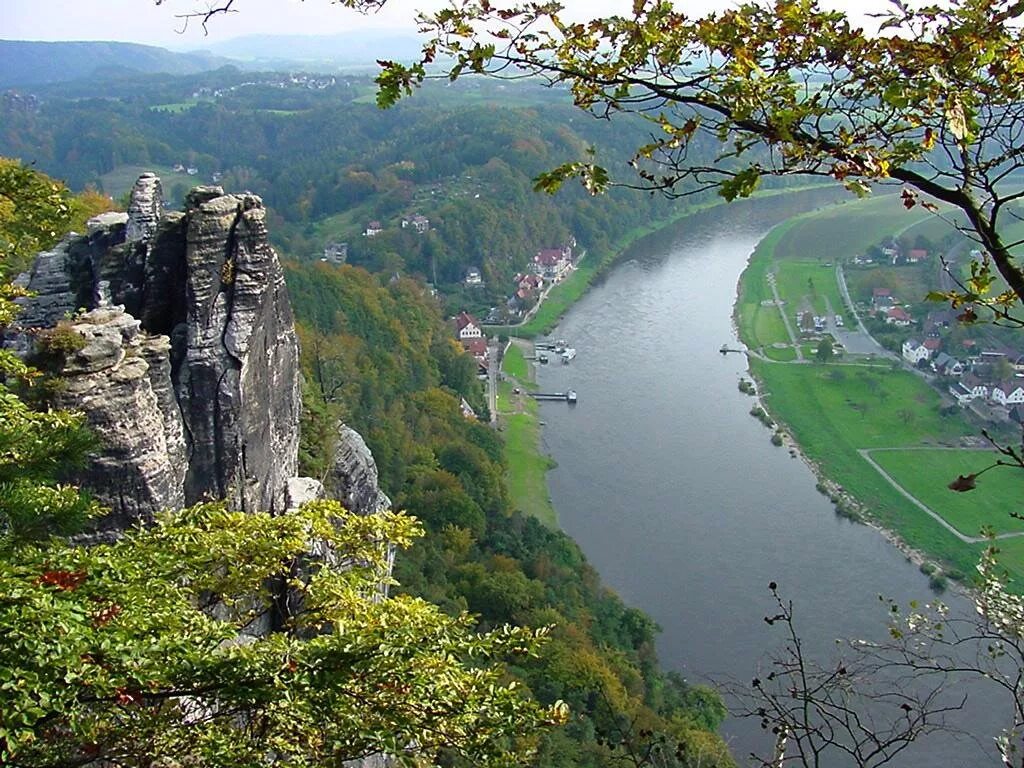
{"points": [[189, 373]]}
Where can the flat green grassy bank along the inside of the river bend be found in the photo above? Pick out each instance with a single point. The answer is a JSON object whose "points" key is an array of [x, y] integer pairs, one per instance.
{"points": [[842, 415]]}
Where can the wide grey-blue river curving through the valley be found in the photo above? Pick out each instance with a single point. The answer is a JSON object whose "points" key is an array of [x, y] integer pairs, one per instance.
{"points": [[677, 496]]}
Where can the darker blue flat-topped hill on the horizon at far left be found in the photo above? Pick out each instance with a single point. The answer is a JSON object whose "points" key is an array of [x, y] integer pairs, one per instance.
{"points": [[30, 63]]}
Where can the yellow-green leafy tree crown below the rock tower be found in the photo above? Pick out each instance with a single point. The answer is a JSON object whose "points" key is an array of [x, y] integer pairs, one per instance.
{"points": [[111, 652]]}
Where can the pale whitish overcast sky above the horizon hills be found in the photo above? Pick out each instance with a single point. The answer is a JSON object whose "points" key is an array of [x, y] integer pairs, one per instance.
{"points": [[145, 22]]}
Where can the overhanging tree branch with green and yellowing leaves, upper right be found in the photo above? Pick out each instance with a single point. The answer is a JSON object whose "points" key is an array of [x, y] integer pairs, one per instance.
{"points": [[929, 99]]}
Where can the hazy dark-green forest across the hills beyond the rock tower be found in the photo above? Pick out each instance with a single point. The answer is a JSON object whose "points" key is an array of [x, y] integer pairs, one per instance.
{"points": [[327, 162]]}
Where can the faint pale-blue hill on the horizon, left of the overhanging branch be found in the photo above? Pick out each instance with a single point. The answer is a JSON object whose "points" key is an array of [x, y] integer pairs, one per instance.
{"points": [[363, 48]]}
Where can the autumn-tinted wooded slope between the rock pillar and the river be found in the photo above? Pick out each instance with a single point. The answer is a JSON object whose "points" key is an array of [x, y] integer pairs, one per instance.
{"points": [[381, 357]]}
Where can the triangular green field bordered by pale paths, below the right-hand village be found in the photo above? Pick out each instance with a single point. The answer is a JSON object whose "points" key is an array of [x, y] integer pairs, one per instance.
{"points": [[1000, 491]]}
